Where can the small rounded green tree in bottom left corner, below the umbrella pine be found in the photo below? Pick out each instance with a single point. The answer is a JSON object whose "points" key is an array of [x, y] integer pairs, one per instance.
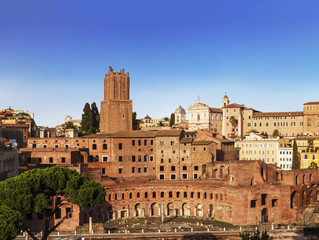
{"points": [[10, 223]]}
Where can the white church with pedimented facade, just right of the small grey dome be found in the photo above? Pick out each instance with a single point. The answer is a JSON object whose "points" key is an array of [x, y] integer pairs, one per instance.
{"points": [[203, 117]]}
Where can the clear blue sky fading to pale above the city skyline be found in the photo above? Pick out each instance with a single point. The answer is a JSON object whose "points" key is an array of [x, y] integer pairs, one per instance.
{"points": [[54, 54]]}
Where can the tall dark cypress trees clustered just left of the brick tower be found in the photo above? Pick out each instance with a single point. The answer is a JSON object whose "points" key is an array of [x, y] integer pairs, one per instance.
{"points": [[90, 119]]}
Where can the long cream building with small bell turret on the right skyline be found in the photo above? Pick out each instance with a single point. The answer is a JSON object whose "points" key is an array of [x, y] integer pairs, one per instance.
{"points": [[288, 124]]}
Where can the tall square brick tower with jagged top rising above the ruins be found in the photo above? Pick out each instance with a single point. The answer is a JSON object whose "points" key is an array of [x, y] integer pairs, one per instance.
{"points": [[116, 109]]}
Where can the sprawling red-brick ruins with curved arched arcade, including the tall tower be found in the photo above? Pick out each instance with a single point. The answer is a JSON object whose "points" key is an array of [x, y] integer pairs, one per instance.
{"points": [[167, 173]]}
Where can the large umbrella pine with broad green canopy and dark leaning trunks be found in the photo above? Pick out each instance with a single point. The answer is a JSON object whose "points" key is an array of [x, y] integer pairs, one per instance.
{"points": [[34, 191]]}
